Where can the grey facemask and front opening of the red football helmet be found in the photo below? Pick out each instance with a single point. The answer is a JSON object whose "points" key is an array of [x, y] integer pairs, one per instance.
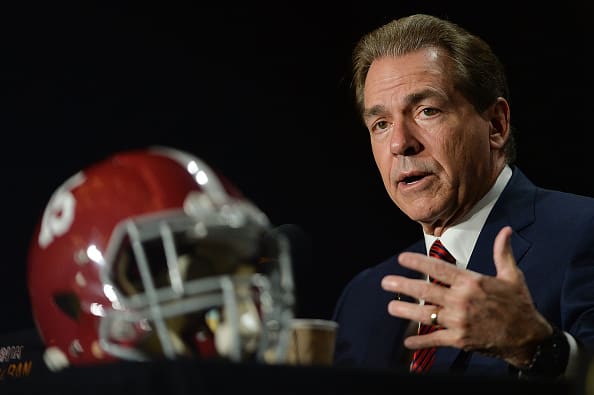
{"points": [[208, 286]]}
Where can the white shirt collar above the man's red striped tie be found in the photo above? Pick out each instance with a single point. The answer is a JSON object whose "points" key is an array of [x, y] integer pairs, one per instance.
{"points": [[461, 238]]}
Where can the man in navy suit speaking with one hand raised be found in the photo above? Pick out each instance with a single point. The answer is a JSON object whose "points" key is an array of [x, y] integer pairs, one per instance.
{"points": [[520, 298]]}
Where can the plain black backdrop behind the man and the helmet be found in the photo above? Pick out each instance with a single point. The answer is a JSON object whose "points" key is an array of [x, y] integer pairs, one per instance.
{"points": [[260, 91]]}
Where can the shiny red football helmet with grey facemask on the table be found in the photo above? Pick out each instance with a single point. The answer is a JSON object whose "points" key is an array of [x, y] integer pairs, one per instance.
{"points": [[151, 253]]}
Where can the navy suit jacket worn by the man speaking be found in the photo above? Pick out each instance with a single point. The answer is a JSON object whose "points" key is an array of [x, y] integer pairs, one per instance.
{"points": [[553, 243]]}
